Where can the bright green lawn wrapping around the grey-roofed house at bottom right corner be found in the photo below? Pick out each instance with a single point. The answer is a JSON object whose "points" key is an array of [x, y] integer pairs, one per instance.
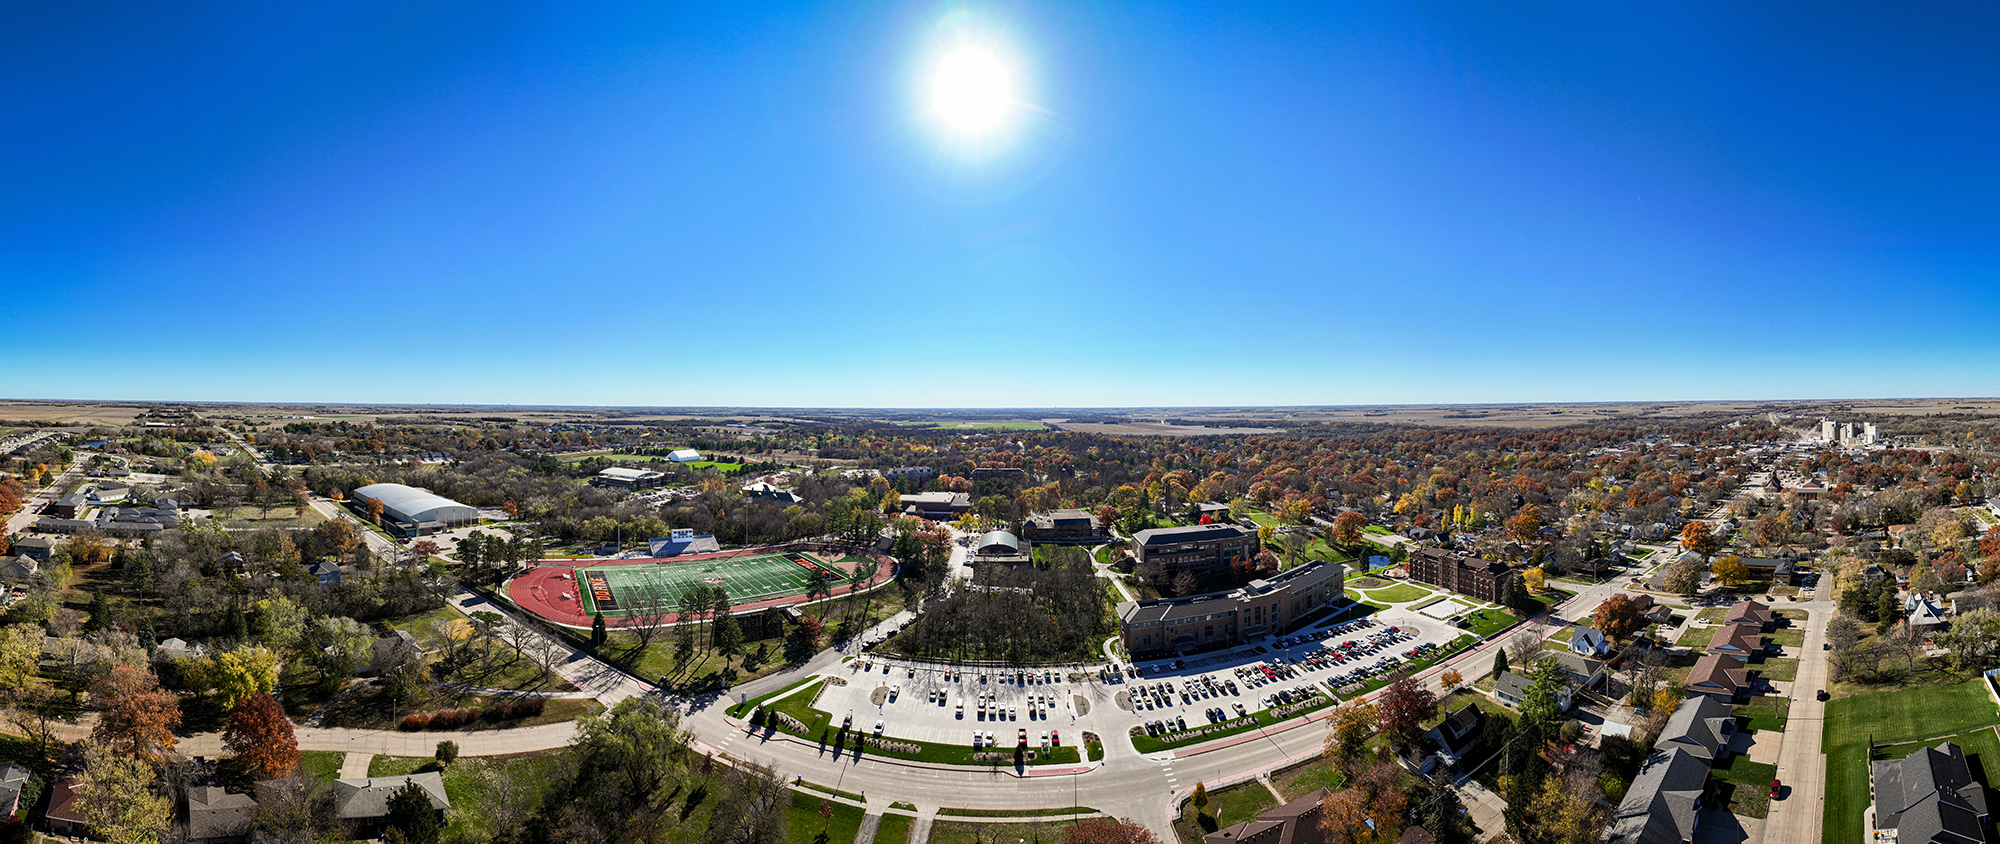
{"points": [[1887, 719]]}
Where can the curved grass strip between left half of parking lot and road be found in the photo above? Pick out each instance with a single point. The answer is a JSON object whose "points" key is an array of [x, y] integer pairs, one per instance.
{"points": [[791, 711]]}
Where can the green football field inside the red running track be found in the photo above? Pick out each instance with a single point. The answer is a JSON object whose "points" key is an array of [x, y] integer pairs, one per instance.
{"points": [[659, 587]]}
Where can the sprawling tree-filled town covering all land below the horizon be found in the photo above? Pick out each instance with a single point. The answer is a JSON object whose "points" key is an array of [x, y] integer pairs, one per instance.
{"points": [[237, 623]]}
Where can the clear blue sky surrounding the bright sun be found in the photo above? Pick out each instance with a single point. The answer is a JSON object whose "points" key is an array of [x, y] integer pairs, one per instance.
{"points": [[1205, 205]]}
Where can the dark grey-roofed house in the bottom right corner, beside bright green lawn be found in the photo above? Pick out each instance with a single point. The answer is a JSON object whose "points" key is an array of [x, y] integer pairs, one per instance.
{"points": [[1931, 797]]}
